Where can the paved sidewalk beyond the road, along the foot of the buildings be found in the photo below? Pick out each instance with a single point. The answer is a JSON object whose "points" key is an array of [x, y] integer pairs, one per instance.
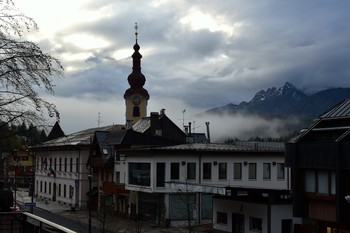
{"points": [[122, 224]]}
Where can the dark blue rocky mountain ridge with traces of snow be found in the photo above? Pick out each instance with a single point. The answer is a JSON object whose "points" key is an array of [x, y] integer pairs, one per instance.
{"points": [[286, 101]]}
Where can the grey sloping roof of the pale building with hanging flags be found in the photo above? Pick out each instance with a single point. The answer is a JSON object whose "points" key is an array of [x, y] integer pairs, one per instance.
{"points": [[79, 138]]}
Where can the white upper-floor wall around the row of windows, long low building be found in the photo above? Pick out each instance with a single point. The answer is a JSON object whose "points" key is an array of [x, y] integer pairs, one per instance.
{"points": [[272, 183]]}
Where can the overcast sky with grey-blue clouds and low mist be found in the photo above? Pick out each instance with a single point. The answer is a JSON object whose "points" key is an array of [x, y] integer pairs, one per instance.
{"points": [[197, 54]]}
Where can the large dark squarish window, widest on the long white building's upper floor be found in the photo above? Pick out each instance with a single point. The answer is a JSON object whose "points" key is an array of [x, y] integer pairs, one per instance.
{"points": [[139, 174]]}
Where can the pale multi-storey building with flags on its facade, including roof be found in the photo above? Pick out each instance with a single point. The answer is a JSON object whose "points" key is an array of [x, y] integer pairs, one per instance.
{"points": [[62, 169]]}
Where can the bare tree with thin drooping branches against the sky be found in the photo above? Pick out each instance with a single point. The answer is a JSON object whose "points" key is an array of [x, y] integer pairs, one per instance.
{"points": [[24, 70]]}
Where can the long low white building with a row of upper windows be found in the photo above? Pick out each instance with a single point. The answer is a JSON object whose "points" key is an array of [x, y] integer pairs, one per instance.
{"points": [[234, 187]]}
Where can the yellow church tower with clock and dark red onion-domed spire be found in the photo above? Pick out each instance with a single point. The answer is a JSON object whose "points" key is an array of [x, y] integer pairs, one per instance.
{"points": [[136, 96]]}
